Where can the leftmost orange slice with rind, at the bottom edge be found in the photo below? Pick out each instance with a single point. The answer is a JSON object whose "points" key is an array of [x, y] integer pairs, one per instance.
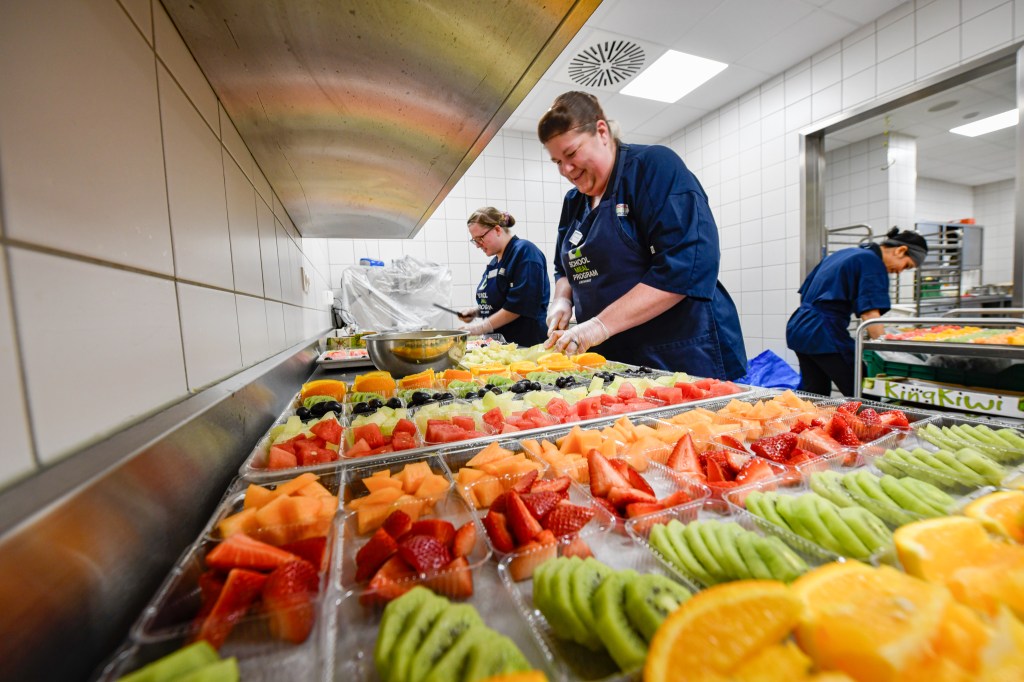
{"points": [[717, 631]]}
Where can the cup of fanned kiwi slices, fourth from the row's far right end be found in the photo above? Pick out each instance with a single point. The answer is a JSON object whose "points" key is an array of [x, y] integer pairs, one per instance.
{"points": [[797, 514]]}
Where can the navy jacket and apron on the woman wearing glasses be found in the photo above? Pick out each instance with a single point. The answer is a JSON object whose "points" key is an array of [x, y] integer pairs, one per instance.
{"points": [[519, 284]]}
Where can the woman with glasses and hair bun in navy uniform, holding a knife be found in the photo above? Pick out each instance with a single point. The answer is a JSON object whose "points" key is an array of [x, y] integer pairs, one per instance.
{"points": [[513, 296]]}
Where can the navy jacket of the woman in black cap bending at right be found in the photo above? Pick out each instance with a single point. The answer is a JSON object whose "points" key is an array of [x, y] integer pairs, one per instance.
{"points": [[848, 282]]}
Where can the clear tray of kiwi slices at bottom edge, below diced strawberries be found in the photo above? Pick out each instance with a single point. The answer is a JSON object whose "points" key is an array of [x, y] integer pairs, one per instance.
{"points": [[419, 634]]}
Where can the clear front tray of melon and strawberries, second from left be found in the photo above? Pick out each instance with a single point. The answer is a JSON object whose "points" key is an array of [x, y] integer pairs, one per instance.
{"points": [[429, 535]]}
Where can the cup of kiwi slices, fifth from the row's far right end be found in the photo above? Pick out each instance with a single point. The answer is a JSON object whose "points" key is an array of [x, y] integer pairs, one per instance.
{"points": [[706, 546]]}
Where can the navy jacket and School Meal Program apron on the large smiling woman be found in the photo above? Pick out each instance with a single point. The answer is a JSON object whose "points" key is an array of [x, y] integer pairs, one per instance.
{"points": [[654, 226]]}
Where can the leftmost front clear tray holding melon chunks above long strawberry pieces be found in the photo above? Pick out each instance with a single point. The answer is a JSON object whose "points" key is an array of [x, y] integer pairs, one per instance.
{"points": [[257, 590]]}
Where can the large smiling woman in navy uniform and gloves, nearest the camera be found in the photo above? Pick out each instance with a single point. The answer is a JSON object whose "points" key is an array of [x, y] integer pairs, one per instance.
{"points": [[637, 252]]}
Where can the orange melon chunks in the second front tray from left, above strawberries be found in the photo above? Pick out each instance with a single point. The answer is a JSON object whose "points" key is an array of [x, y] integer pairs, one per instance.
{"points": [[372, 492]]}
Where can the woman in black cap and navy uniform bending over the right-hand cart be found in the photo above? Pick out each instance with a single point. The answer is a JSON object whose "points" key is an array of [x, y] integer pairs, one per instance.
{"points": [[849, 282]]}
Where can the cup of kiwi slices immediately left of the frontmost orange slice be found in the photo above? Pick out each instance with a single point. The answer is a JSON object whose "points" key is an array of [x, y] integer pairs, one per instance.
{"points": [[624, 596]]}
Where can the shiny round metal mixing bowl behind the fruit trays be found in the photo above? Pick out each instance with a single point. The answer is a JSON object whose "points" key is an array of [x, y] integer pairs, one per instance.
{"points": [[403, 354]]}
